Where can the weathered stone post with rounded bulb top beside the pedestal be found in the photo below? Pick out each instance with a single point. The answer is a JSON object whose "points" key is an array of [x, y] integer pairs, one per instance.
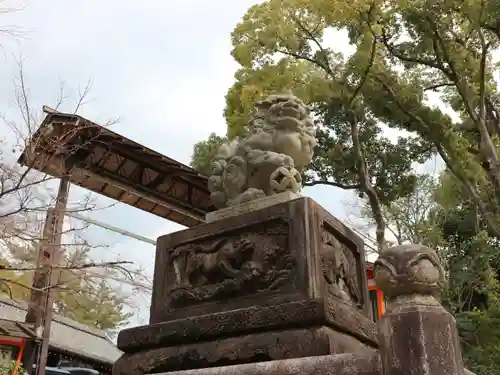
{"points": [[416, 334]]}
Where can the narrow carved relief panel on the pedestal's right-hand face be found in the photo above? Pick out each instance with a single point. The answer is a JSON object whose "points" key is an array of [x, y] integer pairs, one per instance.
{"points": [[340, 270]]}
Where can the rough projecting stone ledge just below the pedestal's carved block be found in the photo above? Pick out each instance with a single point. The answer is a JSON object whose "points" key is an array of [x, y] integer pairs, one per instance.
{"points": [[306, 313]]}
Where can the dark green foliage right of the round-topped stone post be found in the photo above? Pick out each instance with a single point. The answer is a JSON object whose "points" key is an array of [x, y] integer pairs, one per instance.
{"points": [[471, 259]]}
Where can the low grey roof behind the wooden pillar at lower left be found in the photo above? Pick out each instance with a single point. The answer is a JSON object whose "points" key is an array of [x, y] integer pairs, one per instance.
{"points": [[66, 334]]}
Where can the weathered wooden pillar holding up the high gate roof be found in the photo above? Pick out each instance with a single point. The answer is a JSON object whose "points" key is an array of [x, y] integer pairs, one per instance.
{"points": [[40, 309]]}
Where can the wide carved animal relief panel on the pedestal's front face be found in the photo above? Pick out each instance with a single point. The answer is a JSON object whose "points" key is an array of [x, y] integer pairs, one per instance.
{"points": [[216, 268]]}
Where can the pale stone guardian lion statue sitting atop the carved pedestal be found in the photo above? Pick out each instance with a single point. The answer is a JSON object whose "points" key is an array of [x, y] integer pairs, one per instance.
{"points": [[269, 158]]}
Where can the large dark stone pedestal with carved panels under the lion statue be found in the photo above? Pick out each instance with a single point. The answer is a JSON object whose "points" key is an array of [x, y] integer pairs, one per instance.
{"points": [[282, 282]]}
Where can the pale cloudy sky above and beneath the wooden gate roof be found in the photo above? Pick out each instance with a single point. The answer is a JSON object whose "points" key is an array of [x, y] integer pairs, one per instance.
{"points": [[161, 67]]}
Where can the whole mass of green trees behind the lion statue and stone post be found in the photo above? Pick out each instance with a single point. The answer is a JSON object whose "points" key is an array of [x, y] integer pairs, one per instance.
{"points": [[423, 70]]}
